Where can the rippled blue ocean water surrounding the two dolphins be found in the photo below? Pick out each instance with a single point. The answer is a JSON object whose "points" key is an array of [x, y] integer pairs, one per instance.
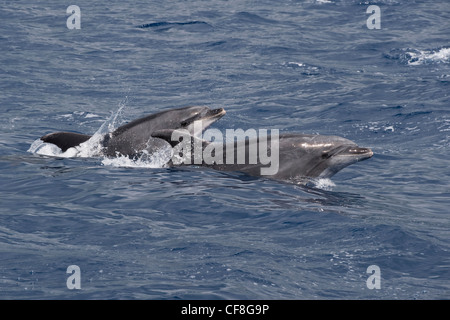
{"points": [[191, 233]]}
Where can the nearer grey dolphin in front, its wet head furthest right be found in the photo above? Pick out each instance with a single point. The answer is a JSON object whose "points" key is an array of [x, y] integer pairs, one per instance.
{"points": [[300, 157]]}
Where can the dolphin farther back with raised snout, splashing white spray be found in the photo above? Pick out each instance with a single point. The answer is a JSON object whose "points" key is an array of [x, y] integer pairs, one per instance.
{"points": [[134, 137]]}
